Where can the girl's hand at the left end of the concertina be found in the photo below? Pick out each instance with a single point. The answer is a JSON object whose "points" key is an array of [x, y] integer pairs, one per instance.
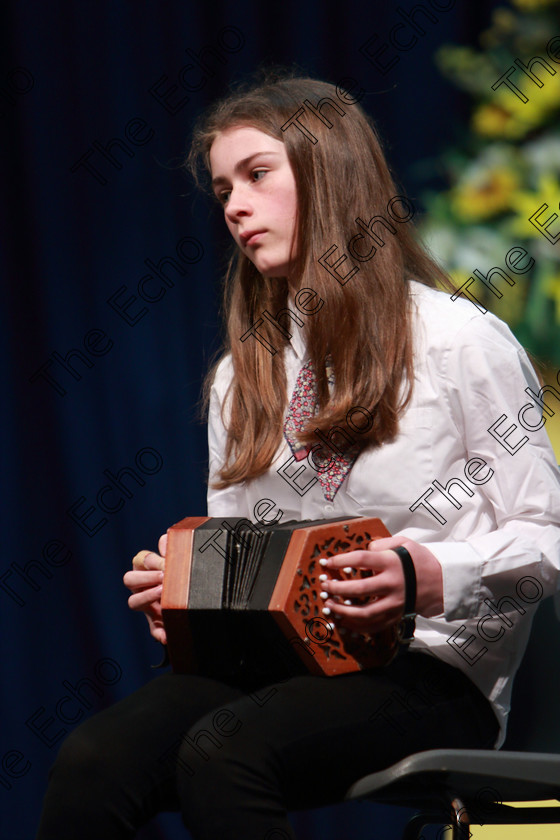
{"points": [[145, 583]]}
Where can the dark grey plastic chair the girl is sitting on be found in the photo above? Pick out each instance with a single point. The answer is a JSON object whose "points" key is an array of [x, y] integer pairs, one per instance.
{"points": [[463, 787]]}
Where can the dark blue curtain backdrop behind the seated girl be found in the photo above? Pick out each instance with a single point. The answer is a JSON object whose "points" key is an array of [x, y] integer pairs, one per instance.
{"points": [[111, 269]]}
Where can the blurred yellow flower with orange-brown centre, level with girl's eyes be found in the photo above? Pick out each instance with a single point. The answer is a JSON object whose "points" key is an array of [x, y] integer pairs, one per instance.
{"points": [[487, 193]]}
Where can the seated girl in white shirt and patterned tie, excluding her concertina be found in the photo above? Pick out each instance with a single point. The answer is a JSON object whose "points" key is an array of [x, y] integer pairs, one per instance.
{"points": [[349, 385]]}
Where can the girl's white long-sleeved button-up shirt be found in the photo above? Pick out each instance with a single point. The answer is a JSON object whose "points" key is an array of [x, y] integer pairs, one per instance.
{"points": [[471, 475]]}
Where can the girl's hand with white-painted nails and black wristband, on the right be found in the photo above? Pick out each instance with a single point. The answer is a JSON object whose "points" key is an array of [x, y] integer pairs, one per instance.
{"points": [[385, 588]]}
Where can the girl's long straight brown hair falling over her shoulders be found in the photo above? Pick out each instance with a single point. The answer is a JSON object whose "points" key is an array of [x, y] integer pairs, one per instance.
{"points": [[363, 326]]}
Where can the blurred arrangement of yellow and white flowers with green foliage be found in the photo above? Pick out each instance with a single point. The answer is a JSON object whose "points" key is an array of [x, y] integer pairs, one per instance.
{"points": [[506, 168]]}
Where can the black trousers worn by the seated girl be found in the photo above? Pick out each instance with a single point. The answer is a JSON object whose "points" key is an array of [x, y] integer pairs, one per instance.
{"points": [[234, 762]]}
